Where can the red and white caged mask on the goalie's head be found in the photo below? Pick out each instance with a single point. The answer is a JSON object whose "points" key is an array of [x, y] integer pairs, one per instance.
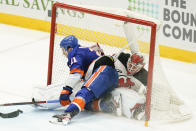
{"points": [[134, 64]]}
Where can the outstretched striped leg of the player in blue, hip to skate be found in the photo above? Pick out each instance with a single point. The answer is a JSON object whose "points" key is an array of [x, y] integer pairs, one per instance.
{"points": [[96, 86]]}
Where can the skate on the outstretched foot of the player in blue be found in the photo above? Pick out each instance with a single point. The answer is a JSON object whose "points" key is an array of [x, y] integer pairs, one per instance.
{"points": [[62, 119]]}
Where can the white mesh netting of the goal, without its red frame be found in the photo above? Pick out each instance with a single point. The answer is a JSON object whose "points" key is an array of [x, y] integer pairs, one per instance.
{"points": [[91, 29]]}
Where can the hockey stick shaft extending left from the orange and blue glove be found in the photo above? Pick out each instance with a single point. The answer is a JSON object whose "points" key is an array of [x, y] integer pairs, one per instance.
{"points": [[28, 103]]}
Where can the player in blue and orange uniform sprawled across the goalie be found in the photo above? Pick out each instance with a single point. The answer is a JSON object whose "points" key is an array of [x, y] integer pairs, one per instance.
{"points": [[102, 78]]}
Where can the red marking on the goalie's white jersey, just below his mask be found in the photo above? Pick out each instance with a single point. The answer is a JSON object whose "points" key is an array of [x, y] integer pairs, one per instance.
{"points": [[125, 81]]}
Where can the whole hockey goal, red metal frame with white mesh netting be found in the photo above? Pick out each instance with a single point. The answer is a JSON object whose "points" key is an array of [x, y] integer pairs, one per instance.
{"points": [[101, 25]]}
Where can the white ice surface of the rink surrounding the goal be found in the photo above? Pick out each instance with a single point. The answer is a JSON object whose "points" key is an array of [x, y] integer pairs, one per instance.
{"points": [[23, 65]]}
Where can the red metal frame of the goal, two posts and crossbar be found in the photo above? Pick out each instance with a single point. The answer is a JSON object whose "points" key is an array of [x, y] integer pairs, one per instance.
{"points": [[112, 16]]}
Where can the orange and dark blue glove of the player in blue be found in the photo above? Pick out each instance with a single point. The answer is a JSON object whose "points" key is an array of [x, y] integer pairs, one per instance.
{"points": [[65, 94]]}
